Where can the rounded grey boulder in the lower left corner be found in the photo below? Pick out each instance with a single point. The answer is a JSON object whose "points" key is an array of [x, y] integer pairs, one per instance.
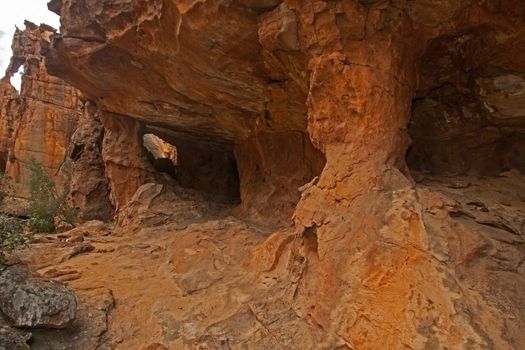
{"points": [[32, 303]]}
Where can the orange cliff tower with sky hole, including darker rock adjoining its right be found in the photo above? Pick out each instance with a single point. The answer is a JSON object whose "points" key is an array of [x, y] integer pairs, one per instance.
{"points": [[47, 121]]}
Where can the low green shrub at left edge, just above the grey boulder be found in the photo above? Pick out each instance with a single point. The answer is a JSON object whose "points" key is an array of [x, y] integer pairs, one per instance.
{"points": [[13, 234]]}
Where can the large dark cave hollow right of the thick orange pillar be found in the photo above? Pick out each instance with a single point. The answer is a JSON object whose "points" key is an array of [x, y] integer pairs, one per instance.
{"points": [[468, 117]]}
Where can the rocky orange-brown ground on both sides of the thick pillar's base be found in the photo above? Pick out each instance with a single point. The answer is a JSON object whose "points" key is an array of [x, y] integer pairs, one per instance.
{"points": [[217, 282]]}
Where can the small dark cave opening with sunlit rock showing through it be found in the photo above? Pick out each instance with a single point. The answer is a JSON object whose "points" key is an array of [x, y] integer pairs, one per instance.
{"points": [[209, 168]]}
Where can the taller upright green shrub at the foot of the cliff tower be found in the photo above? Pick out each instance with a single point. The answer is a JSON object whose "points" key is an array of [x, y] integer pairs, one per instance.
{"points": [[45, 202]]}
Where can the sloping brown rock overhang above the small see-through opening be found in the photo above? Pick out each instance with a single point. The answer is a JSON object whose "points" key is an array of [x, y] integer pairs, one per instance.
{"points": [[181, 69]]}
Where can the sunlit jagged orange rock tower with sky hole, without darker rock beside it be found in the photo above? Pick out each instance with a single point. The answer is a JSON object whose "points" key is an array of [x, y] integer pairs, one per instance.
{"points": [[46, 114]]}
